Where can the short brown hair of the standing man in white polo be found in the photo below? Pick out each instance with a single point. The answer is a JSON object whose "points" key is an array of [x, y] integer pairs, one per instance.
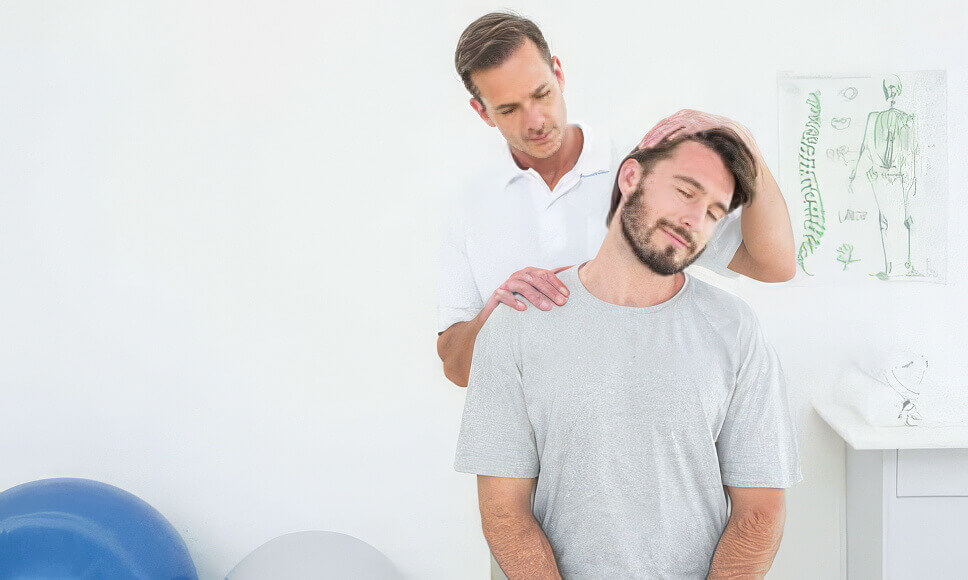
{"points": [[489, 41]]}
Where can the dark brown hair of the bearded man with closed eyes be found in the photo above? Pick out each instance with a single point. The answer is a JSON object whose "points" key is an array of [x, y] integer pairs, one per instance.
{"points": [[725, 142]]}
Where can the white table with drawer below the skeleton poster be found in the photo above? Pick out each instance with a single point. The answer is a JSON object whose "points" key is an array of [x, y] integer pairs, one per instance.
{"points": [[907, 498]]}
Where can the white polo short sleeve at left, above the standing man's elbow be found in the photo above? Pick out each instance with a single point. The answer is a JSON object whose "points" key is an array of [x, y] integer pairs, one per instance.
{"points": [[458, 299]]}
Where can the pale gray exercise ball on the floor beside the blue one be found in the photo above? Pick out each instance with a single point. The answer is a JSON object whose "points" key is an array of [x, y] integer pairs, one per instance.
{"points": [[312, 555]]}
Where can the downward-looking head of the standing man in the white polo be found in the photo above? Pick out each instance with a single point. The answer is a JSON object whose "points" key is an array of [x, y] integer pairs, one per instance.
{"points": [[515, 83]]}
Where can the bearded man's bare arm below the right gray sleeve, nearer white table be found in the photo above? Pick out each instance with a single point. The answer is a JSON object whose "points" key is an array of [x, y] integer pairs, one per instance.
{"points": [[752, 535]]}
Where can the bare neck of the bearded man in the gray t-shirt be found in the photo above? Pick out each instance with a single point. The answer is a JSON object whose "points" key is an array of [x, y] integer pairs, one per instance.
{"points": [[617, 276]]}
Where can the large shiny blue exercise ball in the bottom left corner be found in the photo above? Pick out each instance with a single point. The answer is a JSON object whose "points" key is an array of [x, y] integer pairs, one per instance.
{"points": [[81, 529]]}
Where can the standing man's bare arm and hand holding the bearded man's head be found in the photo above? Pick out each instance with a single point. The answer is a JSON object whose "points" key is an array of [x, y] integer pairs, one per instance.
{"points": [[767, 252]]}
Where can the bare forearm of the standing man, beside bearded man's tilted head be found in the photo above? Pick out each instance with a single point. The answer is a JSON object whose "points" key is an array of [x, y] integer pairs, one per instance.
{"points": [[767, 232]]}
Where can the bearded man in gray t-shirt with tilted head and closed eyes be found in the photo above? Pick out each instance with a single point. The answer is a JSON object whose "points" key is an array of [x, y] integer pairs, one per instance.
{"points": [[610, 433]]}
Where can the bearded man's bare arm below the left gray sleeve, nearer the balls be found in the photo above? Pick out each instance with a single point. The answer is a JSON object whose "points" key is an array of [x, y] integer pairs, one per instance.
{"points": [[517, 541]]}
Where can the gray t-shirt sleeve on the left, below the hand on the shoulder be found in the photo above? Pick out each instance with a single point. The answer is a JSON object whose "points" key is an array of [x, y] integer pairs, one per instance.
{"points": [[496, 437]]}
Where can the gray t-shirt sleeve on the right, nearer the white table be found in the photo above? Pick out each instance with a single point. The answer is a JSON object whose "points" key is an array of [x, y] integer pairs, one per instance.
{"points": [[757, 444]]}
